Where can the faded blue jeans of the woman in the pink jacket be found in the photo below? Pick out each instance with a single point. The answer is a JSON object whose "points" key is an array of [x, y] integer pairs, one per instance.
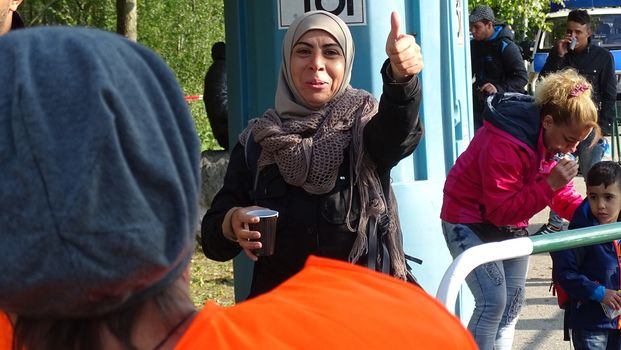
{"points": [[498, 289]]}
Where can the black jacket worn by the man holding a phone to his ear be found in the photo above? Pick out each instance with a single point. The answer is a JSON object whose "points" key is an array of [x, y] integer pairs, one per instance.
{"points": [[597, 65]]}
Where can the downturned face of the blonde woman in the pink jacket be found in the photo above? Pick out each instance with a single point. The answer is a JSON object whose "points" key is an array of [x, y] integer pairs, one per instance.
{"points": [[563, 138]]}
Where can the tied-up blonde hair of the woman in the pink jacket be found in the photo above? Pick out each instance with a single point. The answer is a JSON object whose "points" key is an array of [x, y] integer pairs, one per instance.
{"points": [[566, 96]]}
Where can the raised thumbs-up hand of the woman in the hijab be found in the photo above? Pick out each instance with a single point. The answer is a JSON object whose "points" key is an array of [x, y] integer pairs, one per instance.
{"points": [[404, 54]]}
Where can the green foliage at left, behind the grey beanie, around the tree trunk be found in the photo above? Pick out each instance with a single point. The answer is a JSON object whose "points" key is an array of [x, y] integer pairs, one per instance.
{"points": [[181, 31]]}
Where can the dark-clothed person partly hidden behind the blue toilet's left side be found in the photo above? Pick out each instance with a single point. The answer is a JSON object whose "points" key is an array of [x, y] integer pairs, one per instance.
{"points": [[215, 95]]}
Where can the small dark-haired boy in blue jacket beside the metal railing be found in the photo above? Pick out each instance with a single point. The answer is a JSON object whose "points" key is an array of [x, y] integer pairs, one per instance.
{"points": [[590, 275]]}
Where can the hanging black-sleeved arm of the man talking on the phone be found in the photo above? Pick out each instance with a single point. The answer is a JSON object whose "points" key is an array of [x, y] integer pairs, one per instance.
{"points": [[608, 88]]}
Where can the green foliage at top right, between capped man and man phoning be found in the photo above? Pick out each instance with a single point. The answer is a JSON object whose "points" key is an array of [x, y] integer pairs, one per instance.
{"points": [[526, 17]]}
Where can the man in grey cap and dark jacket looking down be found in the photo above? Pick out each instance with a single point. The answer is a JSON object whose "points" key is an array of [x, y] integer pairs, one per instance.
{"points": [[497, 64]]}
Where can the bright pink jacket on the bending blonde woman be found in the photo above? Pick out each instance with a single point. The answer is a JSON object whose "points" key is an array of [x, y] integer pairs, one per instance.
{"points": [[501, 180]]}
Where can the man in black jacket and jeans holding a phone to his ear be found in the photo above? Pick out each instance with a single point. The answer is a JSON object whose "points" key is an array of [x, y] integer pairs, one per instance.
{"points": [[597, 65]]}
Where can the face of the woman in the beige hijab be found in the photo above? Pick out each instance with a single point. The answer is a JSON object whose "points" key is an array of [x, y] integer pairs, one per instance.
{"points": [[317, 67]]}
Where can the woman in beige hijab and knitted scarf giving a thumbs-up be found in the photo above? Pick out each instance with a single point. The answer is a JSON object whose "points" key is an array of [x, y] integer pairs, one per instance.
{"points": [[321, 158]]}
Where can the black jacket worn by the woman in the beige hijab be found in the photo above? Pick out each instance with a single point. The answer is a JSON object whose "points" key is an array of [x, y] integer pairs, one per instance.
{"points": [[313, 224]]}
